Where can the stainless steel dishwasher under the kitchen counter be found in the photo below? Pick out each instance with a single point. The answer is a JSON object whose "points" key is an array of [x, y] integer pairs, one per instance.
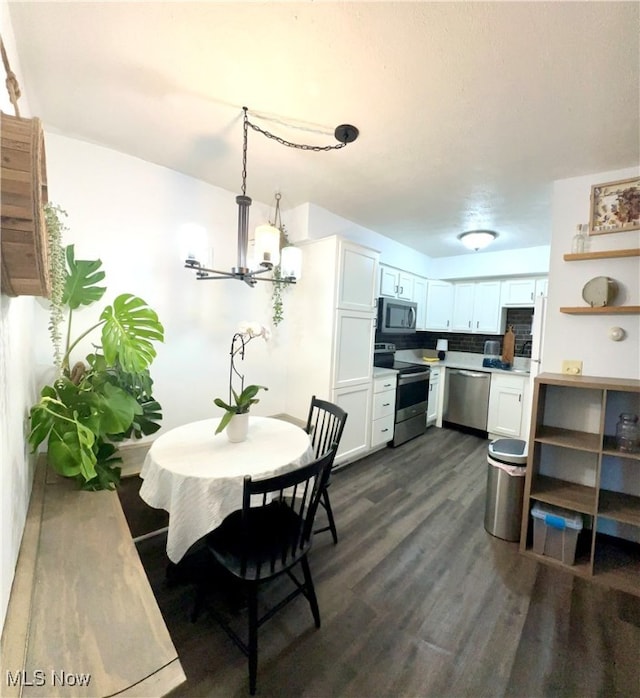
{"points": [[467, 398]]}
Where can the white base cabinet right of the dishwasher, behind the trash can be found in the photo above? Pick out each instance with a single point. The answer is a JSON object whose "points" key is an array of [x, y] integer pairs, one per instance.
{"points": [[507, 398]]}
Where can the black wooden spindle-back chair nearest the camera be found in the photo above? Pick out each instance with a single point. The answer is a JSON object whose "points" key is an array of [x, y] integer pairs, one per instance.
{"points": [[268, 537]]}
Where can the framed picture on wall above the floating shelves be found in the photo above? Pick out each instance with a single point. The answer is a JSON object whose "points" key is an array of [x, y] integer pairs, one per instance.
{"points": [[615, 207]]}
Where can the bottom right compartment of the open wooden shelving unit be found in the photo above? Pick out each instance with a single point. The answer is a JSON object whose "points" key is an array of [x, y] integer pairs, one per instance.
{"points": [[617, 563]]}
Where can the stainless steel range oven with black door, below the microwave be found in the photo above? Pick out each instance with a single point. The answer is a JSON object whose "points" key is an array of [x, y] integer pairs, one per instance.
{"points": [[412, 394]]}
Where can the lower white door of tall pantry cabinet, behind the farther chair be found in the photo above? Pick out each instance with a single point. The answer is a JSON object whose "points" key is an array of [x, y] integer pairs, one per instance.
{"points": [[356, 402]]}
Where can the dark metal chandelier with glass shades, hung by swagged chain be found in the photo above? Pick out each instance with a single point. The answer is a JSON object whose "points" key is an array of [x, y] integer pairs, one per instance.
{"points": [[267, 236]]}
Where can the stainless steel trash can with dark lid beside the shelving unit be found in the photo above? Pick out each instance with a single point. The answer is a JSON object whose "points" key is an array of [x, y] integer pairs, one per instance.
{"points": [[506, 467]]}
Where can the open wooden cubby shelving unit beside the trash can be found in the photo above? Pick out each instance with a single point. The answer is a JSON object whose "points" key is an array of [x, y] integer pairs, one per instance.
{"points": [[574, 463]]}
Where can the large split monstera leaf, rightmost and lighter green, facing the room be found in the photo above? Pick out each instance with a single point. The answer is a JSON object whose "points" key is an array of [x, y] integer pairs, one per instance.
{"points": [[130, 327]]}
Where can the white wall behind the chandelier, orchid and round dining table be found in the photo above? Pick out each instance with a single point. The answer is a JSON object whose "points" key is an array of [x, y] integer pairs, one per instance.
{"points": [[129, 213]]}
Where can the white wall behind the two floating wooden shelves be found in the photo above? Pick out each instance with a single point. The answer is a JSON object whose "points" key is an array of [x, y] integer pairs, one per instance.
{"points": [[584, 337]]}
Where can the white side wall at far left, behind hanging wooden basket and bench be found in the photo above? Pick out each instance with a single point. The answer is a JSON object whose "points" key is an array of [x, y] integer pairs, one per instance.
{"points": [[17, 386]]}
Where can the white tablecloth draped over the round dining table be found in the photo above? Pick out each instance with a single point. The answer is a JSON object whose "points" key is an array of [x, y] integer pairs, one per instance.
{"points": [[197, 476]]}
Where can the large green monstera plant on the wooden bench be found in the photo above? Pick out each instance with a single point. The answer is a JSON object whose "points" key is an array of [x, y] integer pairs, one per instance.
{"points": [[94, 403]]}
